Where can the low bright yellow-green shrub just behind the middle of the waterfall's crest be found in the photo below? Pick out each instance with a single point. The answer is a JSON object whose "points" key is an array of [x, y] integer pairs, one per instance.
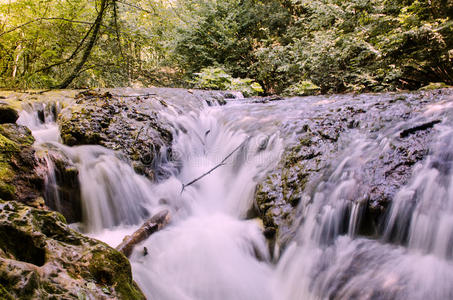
{"points": [[218, 79]]}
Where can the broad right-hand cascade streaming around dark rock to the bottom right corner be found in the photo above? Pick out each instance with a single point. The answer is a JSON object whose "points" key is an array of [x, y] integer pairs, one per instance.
{"points": [[412, 260]]}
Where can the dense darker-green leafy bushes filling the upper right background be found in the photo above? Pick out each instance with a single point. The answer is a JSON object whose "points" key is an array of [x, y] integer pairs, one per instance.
{"points": [[354, 45]]}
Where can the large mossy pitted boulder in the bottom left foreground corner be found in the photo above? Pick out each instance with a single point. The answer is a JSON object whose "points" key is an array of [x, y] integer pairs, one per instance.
{"points": [[42, 258]]}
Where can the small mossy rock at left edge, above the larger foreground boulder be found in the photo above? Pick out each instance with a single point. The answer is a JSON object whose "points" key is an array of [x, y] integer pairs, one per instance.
{"points": [[19, 179]]}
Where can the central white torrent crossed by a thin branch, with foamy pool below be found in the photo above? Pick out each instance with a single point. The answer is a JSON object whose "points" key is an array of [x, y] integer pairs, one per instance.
{"points": [[210, 252]]}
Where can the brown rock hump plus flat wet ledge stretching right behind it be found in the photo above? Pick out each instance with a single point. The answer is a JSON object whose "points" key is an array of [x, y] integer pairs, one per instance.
{"points": [[132, 124]]}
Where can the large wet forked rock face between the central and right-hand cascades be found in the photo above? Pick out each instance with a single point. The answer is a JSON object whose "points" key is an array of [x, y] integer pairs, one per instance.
{"points": [[395, 120]]}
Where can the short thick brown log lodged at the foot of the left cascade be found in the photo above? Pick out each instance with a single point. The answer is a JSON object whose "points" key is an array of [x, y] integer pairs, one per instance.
{"points": [[153, 224]]}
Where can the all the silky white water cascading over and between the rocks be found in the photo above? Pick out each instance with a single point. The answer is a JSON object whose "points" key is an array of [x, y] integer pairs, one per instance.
{"points": [[212, 249]]}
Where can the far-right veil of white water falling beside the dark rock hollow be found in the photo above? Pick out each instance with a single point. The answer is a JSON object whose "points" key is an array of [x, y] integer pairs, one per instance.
{"points": [[422, 214]]}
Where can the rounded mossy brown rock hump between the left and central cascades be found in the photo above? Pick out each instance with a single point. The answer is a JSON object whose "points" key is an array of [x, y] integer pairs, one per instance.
{"points": [[131, 127]]}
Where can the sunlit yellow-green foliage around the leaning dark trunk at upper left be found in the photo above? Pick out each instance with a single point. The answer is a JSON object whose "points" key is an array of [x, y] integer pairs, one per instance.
{"points": [[42, 41]]}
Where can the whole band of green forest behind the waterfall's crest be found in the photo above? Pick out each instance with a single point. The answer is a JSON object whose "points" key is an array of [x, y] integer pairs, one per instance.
{"points": [[291, 47]]}
